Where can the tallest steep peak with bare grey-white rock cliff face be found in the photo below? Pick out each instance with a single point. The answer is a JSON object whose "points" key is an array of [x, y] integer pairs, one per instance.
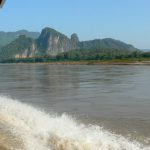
{"points": [[52, 42]]}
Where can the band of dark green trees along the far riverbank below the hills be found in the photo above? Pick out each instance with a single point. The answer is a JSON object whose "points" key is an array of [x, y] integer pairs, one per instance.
{"points": [[87, 57]]}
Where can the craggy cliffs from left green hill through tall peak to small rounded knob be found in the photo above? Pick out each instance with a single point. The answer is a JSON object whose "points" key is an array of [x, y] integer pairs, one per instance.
{"points": [[50, 42]]}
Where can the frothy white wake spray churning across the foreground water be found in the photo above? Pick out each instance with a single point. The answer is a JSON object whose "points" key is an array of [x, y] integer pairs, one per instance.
{"points": [[40, 131]]}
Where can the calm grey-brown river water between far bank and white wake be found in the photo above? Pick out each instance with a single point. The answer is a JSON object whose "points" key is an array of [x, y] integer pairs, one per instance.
{"points": [[117, 97]]}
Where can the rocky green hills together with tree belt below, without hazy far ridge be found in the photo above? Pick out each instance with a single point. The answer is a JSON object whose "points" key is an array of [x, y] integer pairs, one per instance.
{"points": [[53, 46]]}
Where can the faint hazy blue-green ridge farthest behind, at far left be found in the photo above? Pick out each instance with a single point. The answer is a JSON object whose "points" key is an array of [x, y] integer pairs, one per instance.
{"points": [[7, 37]]}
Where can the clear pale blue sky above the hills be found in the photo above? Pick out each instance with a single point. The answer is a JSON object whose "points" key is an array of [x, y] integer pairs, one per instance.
{"points": [[126, 20]]}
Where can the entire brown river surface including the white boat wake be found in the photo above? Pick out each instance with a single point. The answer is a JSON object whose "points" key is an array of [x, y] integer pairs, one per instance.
{"points": [[74, 107]]}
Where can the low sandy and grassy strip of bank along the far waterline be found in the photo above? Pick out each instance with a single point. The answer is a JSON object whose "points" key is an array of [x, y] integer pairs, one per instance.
{"points": [[131, 61]]}
